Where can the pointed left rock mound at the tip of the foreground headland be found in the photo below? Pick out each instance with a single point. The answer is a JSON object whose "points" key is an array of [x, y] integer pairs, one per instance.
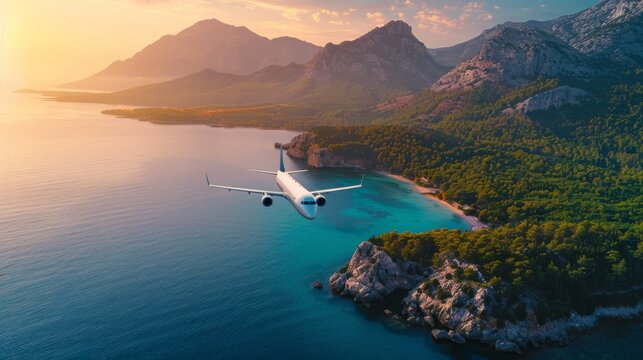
{"points": [[371, 275]]}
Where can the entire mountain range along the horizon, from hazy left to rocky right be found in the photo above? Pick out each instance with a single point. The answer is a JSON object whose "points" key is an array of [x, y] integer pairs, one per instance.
{"points": [[386, 62]]}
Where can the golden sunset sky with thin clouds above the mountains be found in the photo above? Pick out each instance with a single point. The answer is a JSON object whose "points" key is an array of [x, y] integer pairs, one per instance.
{"points": [[48, 42]]}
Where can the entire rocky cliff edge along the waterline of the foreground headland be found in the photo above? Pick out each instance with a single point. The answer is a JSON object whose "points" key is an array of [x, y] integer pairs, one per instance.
{"points": [[454, 301]]}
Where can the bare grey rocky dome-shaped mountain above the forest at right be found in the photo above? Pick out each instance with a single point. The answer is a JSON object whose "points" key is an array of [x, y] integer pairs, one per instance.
{"points": [[516, 56]]}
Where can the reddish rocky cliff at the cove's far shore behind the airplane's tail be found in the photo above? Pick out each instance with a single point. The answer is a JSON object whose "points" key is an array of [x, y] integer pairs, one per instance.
{"points": [[305, 147]]}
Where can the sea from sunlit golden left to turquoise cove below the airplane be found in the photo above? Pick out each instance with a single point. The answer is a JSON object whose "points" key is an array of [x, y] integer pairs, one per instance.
{"points": [[112, 246]]}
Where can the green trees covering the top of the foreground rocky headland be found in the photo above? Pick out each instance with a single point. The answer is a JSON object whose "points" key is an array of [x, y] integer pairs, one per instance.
{"points": [[565, 263]]}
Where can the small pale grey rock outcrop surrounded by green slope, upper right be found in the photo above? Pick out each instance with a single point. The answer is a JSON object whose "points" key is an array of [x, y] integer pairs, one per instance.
{"points": [[550, 100]]}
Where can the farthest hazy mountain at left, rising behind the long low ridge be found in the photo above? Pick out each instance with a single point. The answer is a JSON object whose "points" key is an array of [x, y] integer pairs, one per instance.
{"points": [[208, 44]]}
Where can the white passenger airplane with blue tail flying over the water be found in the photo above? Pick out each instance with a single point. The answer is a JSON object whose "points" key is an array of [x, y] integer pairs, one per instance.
{"points": [[305, 202]]}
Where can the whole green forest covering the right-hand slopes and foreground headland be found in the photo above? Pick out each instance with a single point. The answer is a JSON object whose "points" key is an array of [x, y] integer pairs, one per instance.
{"points": [[561, 190]]}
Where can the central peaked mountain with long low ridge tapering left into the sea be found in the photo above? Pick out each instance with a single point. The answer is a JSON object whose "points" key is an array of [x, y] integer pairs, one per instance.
{"points": [[386, 62]]}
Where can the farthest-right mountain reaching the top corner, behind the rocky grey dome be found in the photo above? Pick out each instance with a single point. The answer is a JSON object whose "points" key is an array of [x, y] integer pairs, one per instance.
{"points": [[610, 30]]}
